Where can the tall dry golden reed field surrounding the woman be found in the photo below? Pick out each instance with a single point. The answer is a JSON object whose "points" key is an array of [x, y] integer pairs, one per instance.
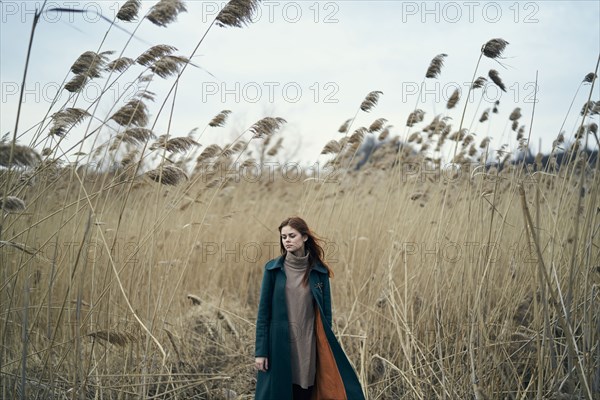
{"points": [[452, 281]]}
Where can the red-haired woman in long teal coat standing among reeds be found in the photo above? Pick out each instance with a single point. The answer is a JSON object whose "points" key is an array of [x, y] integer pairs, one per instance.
{"points": [[297, 354]]}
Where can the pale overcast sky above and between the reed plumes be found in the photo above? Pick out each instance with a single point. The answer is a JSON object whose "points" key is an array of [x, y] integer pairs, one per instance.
{"points": [[313, 62]]}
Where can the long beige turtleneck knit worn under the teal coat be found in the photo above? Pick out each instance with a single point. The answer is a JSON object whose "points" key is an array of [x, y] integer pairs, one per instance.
{"points": [[301, 316]]}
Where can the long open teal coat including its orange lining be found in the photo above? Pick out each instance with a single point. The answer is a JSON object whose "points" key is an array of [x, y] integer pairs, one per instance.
{"points": [[335, 378]]}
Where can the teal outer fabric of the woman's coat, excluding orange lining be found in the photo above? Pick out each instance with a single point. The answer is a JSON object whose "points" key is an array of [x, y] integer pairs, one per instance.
{"points": [[273, 339]]}
